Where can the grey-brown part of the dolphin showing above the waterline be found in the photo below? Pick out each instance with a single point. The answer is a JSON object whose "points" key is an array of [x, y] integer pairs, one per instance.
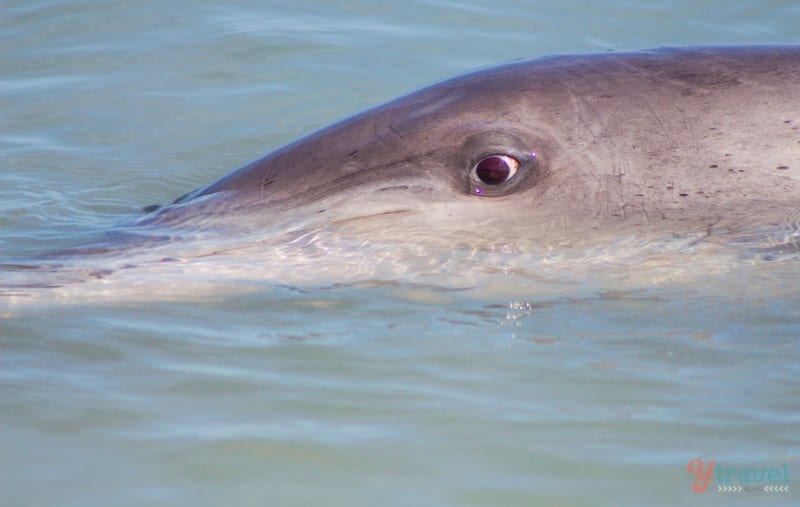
{"points": [[673, 137]]}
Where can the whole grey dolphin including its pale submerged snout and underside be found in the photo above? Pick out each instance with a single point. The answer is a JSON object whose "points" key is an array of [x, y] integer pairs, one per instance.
{"points": [[619, 156]]}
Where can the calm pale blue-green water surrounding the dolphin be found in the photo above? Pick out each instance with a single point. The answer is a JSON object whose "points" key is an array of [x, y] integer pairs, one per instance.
{"points": [[554, 377]]}
